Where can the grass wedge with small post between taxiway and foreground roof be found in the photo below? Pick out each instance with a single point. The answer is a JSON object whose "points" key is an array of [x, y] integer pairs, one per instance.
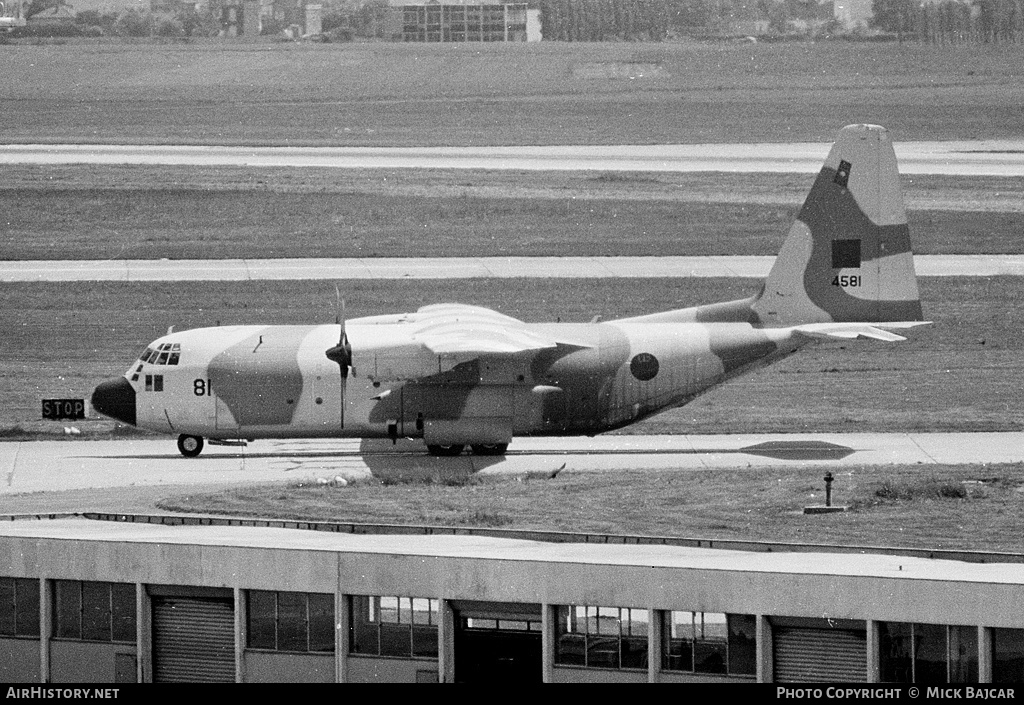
{"points": [[962, 508]]}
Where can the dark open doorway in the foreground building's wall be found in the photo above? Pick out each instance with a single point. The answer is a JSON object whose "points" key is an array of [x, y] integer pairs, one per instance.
{"points": [[498, 642]]}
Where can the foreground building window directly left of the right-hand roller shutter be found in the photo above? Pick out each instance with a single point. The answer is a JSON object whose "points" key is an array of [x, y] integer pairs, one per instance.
{"points": [[709, 643]]}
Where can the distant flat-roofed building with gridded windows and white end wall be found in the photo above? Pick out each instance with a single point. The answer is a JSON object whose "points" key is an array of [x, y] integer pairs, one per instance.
{"points": [[464, 21]]}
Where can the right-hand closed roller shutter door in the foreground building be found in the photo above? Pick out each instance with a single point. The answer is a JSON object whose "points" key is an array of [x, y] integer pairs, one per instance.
{"points": [[820, 655]]}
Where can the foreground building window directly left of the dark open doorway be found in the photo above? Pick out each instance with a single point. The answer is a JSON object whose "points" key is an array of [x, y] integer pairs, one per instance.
{"points": [[394, 627]]}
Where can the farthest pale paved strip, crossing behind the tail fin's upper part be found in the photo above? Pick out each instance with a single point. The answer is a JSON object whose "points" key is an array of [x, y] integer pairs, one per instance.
{"points": [[965, 158]]}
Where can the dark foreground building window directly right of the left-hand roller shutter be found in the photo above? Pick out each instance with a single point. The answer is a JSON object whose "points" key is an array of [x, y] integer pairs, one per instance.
{"points": [[291, 621]]}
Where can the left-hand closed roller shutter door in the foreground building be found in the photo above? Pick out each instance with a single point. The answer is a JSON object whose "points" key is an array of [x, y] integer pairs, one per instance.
{"points": [[193, 641]]}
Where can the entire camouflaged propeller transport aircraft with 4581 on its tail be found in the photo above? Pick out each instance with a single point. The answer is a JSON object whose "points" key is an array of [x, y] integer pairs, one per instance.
{"points": [[460, 376]]}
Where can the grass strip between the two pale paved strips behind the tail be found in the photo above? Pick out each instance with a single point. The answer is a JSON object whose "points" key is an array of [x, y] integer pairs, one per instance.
{"points": [[109, 213]]}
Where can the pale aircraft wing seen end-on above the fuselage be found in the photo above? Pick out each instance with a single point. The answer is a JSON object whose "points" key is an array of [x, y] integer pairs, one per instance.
{"points": [[460, 329]]}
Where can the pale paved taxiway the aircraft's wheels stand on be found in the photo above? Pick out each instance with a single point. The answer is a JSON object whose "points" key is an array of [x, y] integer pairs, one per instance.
{"points": [[50, 467]]}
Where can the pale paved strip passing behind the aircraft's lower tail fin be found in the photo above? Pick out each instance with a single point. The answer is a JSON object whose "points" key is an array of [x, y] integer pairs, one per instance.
{"points": [[455, 268]]}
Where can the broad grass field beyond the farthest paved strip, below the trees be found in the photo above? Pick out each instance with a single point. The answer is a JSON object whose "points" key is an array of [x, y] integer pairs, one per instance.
{"points": [[546, 94]]}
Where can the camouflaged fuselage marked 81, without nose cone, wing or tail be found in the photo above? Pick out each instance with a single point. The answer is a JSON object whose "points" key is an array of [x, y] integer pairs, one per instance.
{"points": [[276, 382]]}
